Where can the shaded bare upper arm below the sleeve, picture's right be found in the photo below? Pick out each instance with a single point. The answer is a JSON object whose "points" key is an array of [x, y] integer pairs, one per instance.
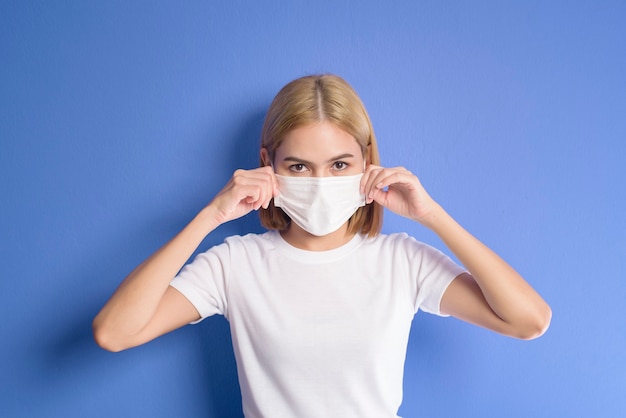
{"points": [[464, 300]]}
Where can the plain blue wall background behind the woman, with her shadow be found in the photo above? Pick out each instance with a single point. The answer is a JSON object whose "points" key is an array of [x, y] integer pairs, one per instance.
{"points": [[120, 120]]}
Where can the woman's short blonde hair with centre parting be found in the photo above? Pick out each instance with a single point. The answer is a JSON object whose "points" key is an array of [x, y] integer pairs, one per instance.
{"points": [[313, 99]]}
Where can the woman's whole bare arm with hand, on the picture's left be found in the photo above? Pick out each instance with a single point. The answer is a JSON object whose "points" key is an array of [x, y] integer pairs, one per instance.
{"points": [[144, 306]]}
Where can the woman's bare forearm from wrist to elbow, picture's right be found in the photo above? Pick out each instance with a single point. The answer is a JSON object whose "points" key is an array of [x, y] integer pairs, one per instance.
{"points": [[508, 295]]}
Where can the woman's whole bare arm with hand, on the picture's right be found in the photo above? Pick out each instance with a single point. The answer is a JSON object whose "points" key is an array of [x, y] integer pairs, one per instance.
{"points": [[493, 295]]}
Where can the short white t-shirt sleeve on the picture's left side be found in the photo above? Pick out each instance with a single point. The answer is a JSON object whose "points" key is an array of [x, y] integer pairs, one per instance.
{"points": [[204, 281]]}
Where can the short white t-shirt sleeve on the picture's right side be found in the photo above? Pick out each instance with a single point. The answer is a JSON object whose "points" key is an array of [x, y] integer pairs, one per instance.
{"points": [[433, 271]]}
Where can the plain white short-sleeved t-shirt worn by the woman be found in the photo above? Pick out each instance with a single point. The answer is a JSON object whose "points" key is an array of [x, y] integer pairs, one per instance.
{"points": [[318, 334]]}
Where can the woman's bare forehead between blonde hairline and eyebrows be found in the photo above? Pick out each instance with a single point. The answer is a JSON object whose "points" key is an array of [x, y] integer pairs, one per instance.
{"points": [[317, 139]]}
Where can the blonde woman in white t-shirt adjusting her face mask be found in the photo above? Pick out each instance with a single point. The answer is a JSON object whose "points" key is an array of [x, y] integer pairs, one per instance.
{"points": [[320, 307]]}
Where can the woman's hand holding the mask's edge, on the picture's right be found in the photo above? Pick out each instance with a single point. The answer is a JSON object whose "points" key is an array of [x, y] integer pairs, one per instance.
{"points": [[398, 190]]}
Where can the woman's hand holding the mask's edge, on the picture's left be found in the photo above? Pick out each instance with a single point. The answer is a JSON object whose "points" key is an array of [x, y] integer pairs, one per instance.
{"points": [[247, 190]]}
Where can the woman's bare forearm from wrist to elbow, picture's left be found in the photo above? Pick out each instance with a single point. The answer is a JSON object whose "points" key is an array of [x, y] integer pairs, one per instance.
{"points": [[135, 301]]}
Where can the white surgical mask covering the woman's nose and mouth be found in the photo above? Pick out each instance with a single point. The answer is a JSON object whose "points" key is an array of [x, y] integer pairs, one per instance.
{"points": [[319, 205]]}
